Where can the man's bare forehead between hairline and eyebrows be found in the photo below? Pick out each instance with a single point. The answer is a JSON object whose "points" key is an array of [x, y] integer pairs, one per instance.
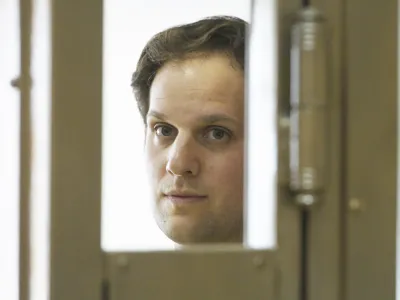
{"points": [[201, 85]]}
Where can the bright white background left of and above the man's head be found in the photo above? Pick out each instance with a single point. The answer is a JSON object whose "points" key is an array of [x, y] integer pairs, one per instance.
{"points": [[127, 223]]}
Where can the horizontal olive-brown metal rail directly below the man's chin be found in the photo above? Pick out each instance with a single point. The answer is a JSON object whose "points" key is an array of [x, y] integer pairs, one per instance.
{"points": [[196, 274]]}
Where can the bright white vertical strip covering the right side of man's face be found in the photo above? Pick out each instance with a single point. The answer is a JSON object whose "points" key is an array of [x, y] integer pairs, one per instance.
{"points": [[261, 128]]}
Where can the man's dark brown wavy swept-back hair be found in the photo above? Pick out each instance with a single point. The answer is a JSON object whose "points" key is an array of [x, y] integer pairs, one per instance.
{"points": [[221, 34]]}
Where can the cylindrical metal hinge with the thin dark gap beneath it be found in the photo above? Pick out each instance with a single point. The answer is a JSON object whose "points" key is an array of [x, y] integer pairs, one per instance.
{"points": [[308, 123]]}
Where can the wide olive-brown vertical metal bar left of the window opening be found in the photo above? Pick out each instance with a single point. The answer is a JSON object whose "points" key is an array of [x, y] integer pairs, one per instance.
{"points": [[75, 250]]}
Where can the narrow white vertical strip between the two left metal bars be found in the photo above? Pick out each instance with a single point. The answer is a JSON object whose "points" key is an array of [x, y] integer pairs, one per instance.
{"points": [[40, 185]]}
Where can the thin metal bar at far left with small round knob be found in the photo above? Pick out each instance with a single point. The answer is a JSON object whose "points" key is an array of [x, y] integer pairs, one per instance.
{"points": [[24, 84]]}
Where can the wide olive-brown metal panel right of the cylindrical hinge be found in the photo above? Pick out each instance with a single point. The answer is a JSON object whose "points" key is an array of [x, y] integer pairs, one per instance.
{"points": [[352, 250]]}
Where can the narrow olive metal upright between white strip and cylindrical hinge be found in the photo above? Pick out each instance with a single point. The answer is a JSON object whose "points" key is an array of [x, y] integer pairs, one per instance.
{"points": [[289, 232]]}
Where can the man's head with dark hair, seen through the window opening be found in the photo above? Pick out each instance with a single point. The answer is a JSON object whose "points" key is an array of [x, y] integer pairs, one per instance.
{"points": [[189, 85]]}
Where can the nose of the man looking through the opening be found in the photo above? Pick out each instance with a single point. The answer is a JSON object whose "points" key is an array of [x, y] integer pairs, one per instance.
{"points": [[182, 157]]}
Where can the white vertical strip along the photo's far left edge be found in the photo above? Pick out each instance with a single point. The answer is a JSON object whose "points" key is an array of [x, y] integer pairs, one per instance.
{"points": [[9, 150]]}
